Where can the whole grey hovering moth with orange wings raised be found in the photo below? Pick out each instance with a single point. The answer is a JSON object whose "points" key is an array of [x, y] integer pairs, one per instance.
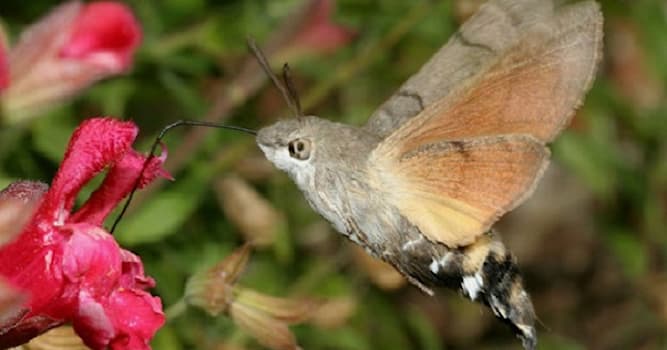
{"points": [[460, 143]]}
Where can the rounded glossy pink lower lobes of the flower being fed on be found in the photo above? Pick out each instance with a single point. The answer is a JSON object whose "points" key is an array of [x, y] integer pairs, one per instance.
{"points": [[113, 310]]}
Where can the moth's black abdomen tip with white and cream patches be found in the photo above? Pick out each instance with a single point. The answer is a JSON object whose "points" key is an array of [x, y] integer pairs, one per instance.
{"points": [[484, 272]]}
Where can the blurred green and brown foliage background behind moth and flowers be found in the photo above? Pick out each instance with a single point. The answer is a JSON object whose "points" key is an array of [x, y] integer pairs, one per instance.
{"points": [[614, 298]]}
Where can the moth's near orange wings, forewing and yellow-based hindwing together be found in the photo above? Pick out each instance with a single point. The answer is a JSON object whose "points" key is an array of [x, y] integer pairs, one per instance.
{"points": [[477, 153]]}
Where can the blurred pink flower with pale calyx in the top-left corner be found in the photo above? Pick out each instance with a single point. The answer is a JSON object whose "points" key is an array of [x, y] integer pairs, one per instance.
{"points": [[66, 51]]}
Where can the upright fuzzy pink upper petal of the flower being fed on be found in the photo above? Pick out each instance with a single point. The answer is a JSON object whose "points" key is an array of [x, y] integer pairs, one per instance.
{"points": [[95, 144]]}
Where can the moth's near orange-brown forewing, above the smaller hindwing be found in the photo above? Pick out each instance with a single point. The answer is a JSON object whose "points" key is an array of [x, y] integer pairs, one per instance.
{"points": [[533, 89]]}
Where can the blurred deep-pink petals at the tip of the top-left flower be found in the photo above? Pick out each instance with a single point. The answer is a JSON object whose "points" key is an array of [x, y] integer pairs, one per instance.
{"points": [[105, 34]]}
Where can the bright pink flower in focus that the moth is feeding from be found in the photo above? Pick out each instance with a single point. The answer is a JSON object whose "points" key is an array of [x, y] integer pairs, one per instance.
{"points": [[71, 269]]}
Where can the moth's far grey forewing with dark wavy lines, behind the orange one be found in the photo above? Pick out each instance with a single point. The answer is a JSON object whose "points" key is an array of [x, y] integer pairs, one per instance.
{"points": [[495, 28]]}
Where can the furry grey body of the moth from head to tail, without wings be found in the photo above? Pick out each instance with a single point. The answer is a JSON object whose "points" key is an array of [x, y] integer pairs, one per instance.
{"points": [[338, 189]]}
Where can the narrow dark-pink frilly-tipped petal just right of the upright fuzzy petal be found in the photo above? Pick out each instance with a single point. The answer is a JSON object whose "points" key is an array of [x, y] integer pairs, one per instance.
{"points": [[117, 185]]}
